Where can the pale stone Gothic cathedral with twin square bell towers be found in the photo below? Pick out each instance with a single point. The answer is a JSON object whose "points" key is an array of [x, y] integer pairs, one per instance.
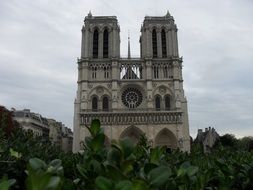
{"points": [[132, 96]]}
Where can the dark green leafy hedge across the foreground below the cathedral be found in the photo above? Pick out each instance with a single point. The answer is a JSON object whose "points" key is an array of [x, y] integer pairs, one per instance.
{"points": [[123, 166]]}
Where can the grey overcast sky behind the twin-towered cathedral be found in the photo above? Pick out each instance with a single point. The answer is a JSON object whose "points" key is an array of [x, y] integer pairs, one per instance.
{"points": [[40, 41]]}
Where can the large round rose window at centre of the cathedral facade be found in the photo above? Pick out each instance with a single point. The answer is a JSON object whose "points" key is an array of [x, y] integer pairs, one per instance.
{"points": [[131, 97]]}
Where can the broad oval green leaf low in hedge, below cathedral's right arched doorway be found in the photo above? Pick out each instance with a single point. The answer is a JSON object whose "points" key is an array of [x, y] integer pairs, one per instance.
{"points": [[159, 176]]}
